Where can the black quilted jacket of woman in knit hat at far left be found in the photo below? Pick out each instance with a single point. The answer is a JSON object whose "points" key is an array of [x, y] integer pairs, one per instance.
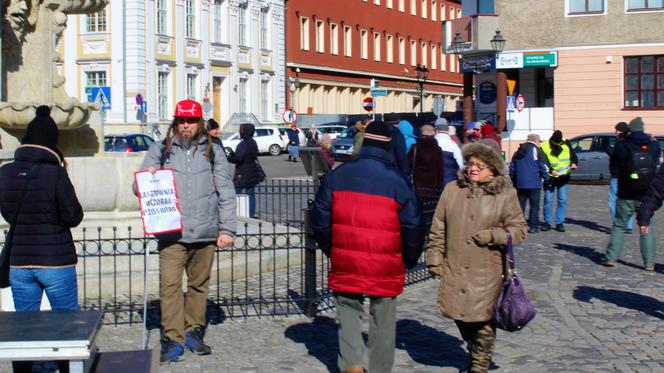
{"points": [[50, 208]]}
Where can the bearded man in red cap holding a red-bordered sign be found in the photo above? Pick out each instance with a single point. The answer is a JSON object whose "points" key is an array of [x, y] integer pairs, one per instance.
{"points": [[204, 196]]}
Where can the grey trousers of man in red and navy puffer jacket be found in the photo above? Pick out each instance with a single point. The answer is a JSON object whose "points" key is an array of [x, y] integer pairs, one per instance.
{"points": [[382, 332]]}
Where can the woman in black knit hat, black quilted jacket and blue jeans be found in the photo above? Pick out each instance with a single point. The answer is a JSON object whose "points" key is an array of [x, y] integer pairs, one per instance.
{"points": [[37, 197]]}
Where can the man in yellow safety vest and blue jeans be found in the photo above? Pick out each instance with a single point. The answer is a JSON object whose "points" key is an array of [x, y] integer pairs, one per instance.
{"points": [[562, 160]]}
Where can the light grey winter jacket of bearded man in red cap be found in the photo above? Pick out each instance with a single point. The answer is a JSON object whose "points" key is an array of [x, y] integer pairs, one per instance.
{"points": [[206, 196]]}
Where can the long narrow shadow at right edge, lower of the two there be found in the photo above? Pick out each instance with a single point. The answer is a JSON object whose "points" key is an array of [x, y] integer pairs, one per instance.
{"points": [[625, 299]]}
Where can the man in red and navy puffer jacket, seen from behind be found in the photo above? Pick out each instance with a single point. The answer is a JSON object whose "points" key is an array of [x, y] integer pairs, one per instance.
{"points": [[367, 219]]}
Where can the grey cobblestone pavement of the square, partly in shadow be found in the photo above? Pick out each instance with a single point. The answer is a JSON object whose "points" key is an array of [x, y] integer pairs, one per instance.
{"points": [[590, 318]]}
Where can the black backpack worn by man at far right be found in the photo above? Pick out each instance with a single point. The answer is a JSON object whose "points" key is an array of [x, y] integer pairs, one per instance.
{"points": [[640, 168]]}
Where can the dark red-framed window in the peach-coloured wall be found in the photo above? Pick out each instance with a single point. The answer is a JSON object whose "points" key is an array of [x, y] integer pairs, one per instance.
{"points": [[644, 82]]}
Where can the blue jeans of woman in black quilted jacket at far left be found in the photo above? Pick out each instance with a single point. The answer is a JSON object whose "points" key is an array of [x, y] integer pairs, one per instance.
{"points": [[28, 285]]}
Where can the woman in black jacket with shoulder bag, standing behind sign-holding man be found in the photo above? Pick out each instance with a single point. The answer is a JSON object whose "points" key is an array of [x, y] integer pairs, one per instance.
{"points": [[248, 172]]}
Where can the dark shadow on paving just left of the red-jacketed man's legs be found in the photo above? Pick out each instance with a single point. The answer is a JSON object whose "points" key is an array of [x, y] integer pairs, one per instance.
{"points": [[320, 337]]}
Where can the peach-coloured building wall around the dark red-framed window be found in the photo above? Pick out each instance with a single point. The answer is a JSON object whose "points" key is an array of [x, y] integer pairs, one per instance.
{"points": [[589, 93]]}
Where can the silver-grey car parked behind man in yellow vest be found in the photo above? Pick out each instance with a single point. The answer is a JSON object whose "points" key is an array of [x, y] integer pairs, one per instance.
{"points": [[592, 150]]}
